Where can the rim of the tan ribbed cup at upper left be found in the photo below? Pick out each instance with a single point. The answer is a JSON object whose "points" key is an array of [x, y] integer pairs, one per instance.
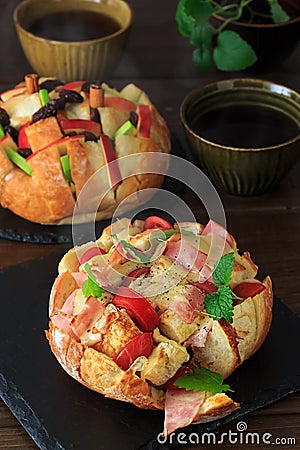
{"points": [[73, 43]]}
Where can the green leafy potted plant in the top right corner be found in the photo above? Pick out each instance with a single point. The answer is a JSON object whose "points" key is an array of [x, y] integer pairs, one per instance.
{"points": [[237, 34]]}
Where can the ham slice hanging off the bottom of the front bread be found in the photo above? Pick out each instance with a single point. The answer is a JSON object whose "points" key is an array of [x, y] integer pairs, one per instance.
{"points": [[181, 408]]}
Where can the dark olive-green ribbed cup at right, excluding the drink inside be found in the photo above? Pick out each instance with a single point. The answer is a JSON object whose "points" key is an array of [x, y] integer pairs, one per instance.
{"points": [[242, 171]]}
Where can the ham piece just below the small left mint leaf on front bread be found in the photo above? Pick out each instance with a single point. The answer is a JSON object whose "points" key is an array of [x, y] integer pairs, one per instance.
{"points": [[91, 312]]}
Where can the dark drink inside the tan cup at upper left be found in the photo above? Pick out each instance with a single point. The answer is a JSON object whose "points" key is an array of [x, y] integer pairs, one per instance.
{"points": [[74, 26]]}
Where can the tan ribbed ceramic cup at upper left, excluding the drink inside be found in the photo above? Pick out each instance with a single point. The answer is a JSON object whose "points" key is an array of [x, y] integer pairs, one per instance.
{"points": [[76, 60]]}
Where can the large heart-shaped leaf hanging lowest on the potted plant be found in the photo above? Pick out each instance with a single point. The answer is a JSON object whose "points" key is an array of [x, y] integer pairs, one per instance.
{"points": [[232, 52]]}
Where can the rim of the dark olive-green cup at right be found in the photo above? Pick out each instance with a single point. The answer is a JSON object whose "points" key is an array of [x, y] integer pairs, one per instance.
{"points": [[264, 85]]}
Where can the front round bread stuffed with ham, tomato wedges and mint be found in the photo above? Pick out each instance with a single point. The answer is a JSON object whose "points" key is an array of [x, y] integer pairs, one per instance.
{"points": [[151, 331]]}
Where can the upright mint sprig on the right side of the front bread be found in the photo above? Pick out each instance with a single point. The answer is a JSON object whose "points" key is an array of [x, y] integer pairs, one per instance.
{"points": [[219, 304]]}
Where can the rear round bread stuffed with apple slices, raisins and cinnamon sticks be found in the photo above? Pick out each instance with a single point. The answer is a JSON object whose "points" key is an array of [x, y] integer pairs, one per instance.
{"points": [[48, 153]]}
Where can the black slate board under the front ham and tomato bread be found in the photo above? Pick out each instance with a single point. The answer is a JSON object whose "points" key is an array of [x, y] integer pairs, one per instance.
{"points": [[59, 413]]}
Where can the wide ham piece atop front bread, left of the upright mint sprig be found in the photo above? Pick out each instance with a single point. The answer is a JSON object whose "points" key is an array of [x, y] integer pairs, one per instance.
{"points": [[185, 254]]}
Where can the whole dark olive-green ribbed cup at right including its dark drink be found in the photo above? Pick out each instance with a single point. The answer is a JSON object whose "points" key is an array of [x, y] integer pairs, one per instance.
{"points": [[245, 169]]}
